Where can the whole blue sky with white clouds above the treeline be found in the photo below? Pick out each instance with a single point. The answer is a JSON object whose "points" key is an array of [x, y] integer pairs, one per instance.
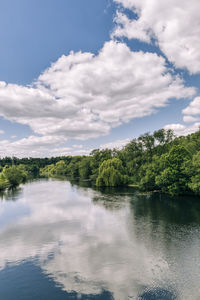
{"points": [[78, 75]]}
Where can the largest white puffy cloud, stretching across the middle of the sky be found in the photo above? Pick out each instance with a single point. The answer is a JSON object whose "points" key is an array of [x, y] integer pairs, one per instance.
{"points": [[83, 96]]}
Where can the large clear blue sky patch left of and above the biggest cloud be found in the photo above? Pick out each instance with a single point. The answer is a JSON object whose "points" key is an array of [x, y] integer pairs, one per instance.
{"points": [[35, 33]]}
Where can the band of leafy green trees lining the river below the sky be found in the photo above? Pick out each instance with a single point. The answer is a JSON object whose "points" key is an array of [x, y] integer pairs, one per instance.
{"points": [[153, 162]]}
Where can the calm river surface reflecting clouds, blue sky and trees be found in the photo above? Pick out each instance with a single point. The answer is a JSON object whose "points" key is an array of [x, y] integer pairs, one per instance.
{"points": [[59, 241]]}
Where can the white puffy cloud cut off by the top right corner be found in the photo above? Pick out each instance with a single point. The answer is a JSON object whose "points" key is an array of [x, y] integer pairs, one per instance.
{"points": [[173, 24]]}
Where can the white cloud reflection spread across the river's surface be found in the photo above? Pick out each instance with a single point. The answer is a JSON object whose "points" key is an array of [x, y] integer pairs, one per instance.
{"points": [[87, 248]]}
